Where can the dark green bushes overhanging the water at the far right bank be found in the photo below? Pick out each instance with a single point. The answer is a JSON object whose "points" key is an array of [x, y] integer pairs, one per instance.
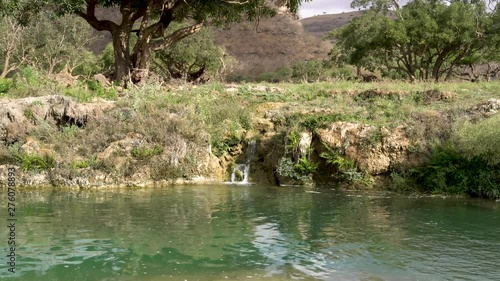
{"points": [[467, 163]]}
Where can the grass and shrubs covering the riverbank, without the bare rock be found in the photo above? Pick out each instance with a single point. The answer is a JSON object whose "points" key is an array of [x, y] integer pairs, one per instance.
{"points": [[463, 158]]}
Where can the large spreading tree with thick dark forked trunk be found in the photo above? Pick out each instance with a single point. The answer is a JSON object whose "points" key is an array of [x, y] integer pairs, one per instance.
{"points": [[150, 20]]}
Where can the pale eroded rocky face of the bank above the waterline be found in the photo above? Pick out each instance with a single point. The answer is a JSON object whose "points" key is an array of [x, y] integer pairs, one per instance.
{"points": [[374, 151]]}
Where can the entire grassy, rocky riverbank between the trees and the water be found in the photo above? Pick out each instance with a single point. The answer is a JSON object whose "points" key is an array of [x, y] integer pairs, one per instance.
{"points": [[405, 137]]}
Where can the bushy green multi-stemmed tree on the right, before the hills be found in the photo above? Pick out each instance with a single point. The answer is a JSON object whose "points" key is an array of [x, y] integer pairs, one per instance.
{"points": [[427, 39]]}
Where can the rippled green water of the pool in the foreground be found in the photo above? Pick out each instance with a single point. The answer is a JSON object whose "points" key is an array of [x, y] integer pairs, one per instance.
{"points": [[251, 233]]}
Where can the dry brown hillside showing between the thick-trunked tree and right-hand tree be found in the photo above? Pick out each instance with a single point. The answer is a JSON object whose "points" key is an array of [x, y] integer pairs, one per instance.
{"points": [[274, 42]]}
